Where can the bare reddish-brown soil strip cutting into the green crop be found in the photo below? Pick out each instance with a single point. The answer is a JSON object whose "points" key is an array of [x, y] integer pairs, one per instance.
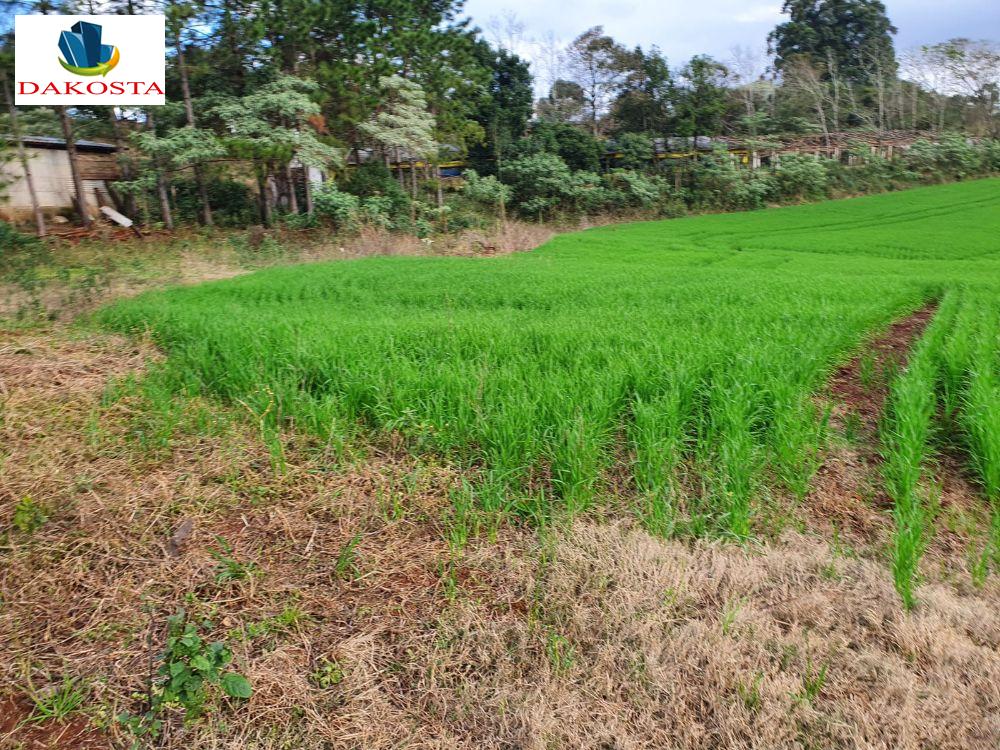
{"points": [[848, 491]]}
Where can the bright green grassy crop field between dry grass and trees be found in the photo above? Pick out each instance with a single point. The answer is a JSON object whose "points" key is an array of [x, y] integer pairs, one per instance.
{"points": [[680, 359]]}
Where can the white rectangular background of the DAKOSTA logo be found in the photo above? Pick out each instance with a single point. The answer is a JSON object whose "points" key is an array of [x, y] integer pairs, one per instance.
{"points": [[139, 39]]}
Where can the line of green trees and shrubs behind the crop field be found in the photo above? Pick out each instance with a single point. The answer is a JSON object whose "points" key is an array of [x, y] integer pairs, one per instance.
{"points": [[264, 96]]}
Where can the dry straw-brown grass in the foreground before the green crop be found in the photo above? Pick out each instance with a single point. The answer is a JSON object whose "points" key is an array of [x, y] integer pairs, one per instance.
{"points": [[594, 635]]}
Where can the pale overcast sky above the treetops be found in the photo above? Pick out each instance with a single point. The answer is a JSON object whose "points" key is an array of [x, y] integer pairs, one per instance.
{"points": [[682, 28]]}
